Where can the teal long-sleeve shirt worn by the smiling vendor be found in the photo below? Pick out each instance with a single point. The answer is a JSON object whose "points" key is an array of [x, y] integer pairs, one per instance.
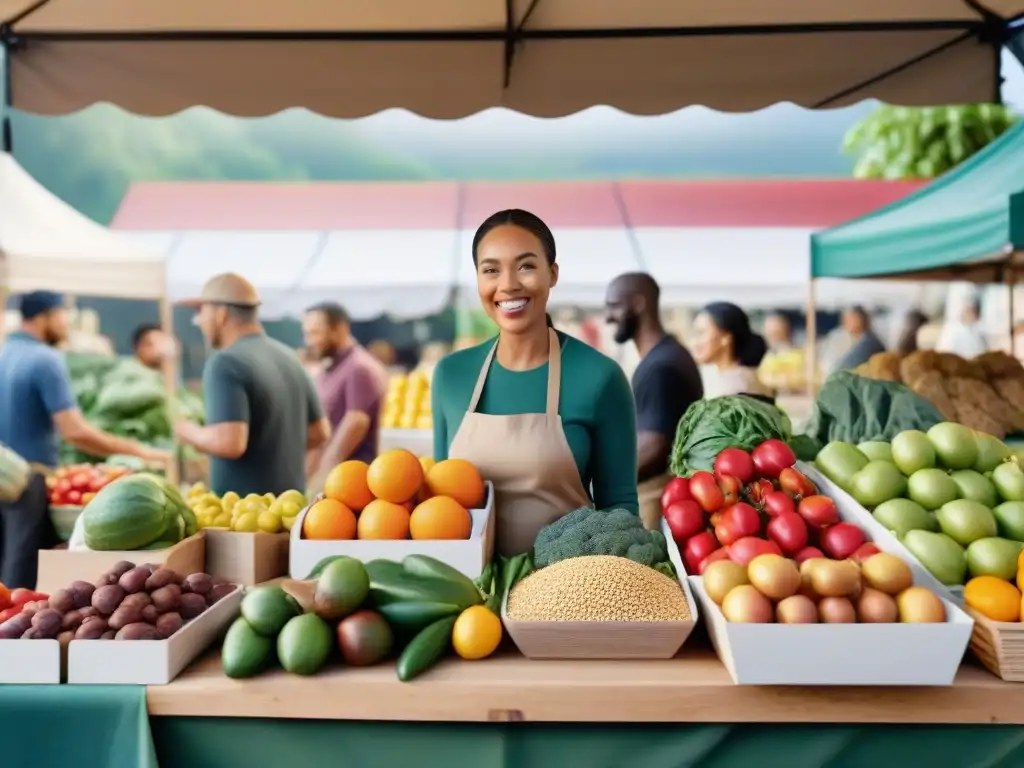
{"points": [[595, 403]]}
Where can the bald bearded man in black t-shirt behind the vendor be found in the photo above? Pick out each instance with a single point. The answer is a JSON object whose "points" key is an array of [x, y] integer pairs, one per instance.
{"points": [[665, 385]]}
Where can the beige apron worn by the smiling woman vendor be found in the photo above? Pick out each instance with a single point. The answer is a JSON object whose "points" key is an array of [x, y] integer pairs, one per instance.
{"points": [[527, 457]]}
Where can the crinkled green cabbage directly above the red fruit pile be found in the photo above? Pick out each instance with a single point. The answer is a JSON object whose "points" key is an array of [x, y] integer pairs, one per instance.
{"points": [[709, 428]]}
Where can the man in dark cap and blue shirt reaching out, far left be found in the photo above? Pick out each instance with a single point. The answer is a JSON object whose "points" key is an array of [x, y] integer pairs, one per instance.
{"points": [[36, 407]]}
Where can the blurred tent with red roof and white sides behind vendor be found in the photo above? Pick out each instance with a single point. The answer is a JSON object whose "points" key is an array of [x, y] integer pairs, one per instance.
{"points": [[402, 248]]}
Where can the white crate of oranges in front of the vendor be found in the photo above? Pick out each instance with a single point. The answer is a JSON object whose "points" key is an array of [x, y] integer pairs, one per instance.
{"points": [[396, 506]]}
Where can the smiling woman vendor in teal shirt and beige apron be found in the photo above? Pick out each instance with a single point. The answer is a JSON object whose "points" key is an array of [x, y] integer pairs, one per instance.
{"points": [[545, 417]]}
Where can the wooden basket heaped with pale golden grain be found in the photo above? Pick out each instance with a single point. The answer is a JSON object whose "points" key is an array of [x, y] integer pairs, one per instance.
{"points": [[600, 607]]}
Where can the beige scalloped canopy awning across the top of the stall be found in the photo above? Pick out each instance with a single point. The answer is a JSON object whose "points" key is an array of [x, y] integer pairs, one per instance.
{"points": [[449, 59]]}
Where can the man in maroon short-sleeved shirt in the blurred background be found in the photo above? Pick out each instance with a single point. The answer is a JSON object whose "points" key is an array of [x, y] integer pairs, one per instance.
{"points": [[351, 383]]}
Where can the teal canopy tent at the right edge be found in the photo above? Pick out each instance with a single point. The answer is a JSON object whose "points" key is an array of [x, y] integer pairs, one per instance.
{"points": [[968, 225]]}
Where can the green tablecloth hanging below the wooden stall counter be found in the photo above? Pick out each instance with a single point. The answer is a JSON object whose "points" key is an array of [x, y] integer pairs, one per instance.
{"points": [[107, 728]]}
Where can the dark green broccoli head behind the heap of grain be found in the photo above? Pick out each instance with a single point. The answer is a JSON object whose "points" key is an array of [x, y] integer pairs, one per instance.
{"points": [[590, 532]]}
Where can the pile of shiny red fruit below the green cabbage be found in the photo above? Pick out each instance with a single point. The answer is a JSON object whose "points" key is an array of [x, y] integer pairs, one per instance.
{"points": [[757, 504]]}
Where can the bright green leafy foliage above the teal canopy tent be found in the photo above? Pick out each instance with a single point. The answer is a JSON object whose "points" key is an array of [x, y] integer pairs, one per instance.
{"points": [[902, 143]]}
